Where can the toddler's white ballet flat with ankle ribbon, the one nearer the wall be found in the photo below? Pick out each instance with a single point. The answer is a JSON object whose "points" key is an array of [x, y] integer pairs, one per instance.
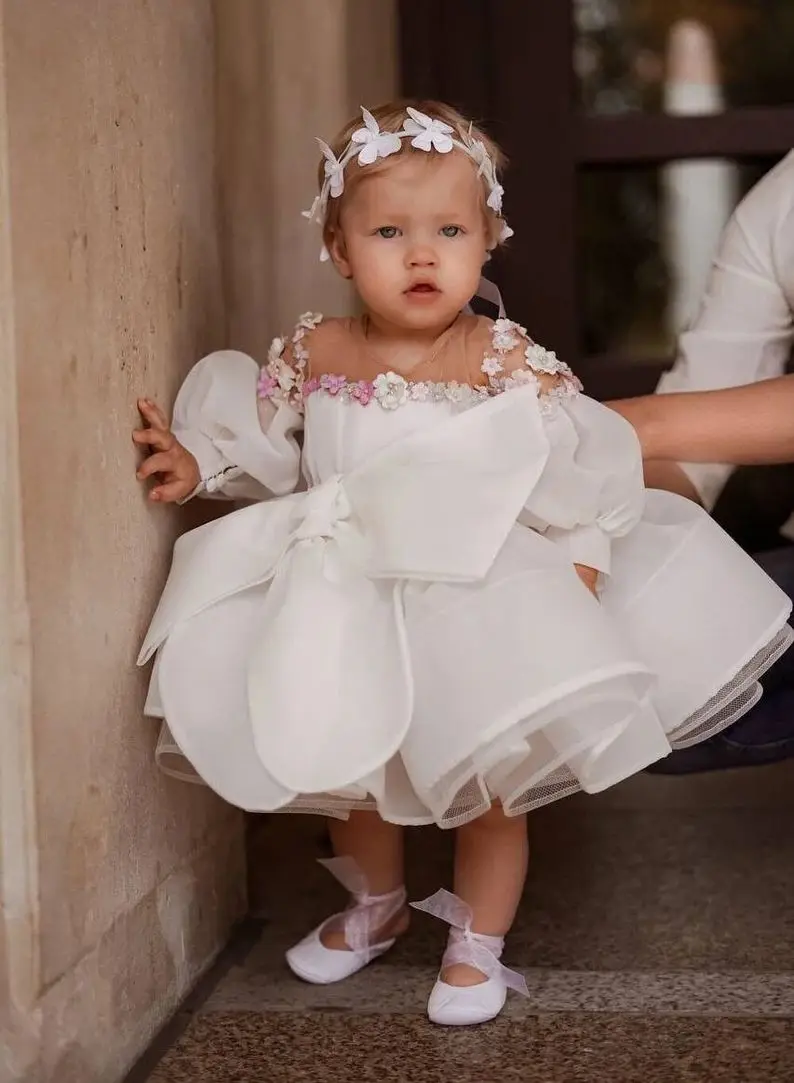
{"points": [[311, 961]]}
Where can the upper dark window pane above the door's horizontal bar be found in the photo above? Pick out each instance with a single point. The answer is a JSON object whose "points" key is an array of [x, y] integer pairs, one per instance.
{"points": [[684, 57]]}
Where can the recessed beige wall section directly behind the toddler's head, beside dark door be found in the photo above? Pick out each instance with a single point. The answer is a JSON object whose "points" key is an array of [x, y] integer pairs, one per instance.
{"points": [[289, 72]]}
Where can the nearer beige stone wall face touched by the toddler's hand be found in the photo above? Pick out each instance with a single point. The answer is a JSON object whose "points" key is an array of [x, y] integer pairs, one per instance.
{"points": [[116, 284]]}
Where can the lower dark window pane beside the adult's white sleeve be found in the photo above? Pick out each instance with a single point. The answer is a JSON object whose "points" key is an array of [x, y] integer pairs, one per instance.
{"points": [[646, 242]]}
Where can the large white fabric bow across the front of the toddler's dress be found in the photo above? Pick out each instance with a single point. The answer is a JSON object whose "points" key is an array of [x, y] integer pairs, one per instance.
{"points": [[330, 690]]}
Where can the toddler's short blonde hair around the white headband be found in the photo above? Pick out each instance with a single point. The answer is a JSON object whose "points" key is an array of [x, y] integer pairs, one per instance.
{"points": [[392, 118]]}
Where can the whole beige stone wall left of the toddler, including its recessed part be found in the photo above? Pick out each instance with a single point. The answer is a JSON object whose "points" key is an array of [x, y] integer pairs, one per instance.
{"points": [[116, 885]]}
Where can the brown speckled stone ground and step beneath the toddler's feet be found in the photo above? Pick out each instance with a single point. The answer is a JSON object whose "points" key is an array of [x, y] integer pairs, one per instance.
{"points": [[657, 936]]}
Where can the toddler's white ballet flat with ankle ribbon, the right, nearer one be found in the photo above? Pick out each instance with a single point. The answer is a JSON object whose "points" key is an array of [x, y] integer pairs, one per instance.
{"points": [[468, 1006]]}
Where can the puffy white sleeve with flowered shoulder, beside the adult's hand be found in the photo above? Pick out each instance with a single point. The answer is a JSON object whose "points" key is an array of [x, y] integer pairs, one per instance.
{"points": [[592, 490]]}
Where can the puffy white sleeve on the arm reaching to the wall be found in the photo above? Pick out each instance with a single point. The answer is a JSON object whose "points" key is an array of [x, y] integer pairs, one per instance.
{"points": [[244, 442]]}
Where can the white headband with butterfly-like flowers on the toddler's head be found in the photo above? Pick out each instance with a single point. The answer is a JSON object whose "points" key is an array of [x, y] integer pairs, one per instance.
{"points": [[426, 134]]}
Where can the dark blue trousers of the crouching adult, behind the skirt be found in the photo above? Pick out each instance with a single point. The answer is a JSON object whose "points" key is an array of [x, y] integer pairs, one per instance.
{"points": [[766, 734]]}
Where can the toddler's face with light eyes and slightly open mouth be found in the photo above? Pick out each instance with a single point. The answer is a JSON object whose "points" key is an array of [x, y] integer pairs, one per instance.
{"points": [[413, 239]]}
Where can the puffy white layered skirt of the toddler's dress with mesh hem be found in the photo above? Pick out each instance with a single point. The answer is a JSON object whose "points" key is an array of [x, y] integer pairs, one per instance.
{"points": [[520, 688]]}
